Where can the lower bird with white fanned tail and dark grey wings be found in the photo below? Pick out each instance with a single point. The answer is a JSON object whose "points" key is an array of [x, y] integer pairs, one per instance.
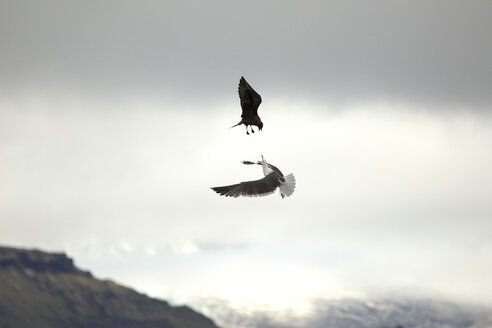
{"points": [[273, 179]]}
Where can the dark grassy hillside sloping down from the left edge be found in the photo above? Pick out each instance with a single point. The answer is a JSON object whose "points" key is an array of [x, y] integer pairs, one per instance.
{"points": [[41, 289]]}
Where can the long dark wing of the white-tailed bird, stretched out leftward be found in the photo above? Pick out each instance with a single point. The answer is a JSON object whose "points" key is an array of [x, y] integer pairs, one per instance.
{"points": [[255, 188]]}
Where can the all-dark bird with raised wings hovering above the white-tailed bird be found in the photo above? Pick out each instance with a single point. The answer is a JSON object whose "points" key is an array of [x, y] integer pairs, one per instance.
{"points": [[250, 101]]}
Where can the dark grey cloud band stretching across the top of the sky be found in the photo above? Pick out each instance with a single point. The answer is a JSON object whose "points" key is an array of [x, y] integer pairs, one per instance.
{"points": [[421, 52]]}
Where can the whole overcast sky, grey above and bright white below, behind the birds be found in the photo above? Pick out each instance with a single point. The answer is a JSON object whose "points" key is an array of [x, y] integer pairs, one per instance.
{"points": [[114, 123]]}
